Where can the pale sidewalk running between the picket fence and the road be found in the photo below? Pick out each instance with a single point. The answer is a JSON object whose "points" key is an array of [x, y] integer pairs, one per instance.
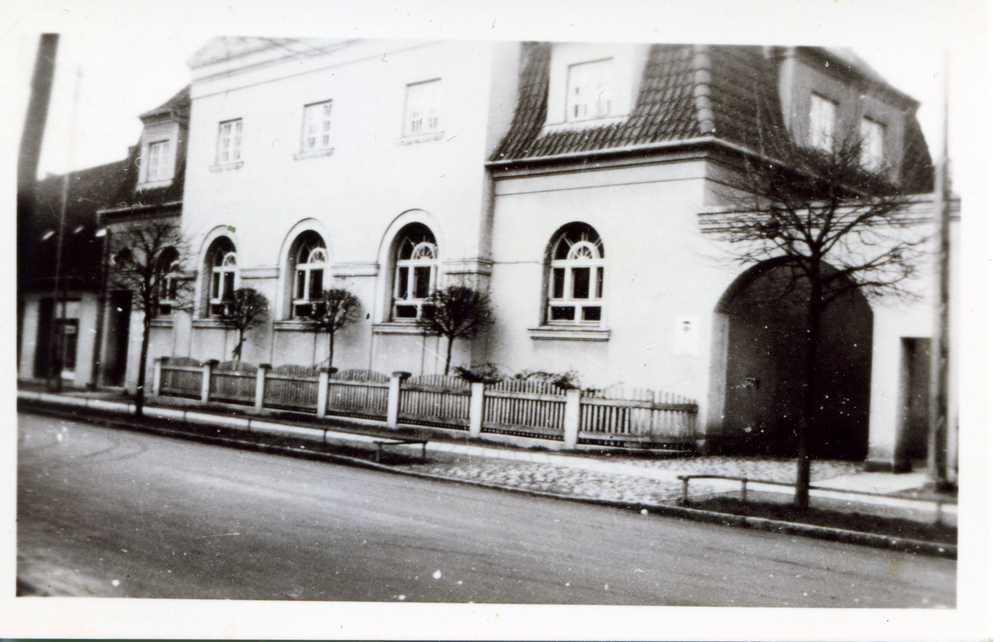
{"points": [[622, 477]]}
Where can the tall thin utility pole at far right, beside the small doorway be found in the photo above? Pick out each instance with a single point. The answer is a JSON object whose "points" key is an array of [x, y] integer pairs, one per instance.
{"points": [[940, 357]]}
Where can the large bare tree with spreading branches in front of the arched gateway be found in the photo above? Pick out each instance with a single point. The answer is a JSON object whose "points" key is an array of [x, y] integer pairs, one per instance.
{"points": [[835, 227]]}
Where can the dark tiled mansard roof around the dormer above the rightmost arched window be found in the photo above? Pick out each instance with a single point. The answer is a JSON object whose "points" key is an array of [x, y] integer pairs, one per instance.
{"points": [[687, 91]]}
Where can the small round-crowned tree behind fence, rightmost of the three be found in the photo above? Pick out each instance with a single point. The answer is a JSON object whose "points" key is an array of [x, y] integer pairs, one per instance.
{"points": [[456, 312]]}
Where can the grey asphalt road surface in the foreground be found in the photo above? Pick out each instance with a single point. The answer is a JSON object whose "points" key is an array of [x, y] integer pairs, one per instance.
{"points": [[107, 512]]}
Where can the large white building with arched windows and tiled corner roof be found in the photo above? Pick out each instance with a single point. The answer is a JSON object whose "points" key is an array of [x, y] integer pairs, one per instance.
{"points": [[576, 182]]}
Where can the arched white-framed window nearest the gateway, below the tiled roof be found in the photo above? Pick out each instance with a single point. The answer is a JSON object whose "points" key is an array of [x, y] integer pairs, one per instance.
{"points": [[576, 276]]}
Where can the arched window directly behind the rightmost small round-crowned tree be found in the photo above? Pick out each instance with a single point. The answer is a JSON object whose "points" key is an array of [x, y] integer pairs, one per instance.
{"points": [[416, 271]]}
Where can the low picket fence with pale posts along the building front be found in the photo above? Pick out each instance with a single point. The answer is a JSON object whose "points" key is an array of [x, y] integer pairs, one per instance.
{"points": [[518, 407]]}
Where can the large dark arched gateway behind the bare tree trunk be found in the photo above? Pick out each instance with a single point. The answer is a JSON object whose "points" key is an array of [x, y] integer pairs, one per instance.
{"points": [[759, 367]]}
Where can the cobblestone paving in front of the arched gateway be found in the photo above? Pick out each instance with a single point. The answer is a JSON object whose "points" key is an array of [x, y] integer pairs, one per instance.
{"points": [[581, 482]]}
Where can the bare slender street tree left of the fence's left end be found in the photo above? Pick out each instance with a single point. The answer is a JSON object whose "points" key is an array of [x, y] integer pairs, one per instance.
{"points": [[146, 261]]}
